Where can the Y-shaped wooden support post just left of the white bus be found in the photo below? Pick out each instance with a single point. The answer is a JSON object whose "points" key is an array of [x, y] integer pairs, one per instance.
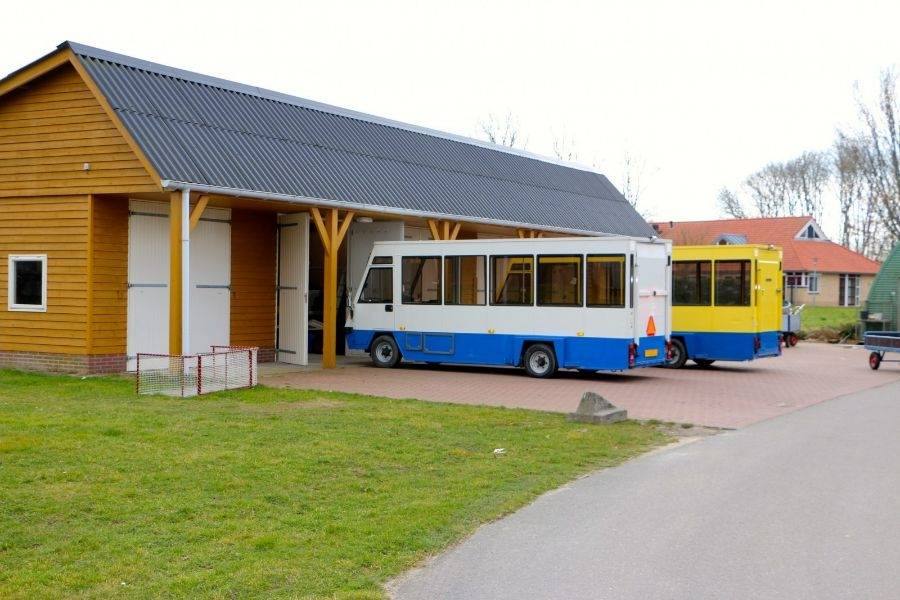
{"points": [[332, 231]]}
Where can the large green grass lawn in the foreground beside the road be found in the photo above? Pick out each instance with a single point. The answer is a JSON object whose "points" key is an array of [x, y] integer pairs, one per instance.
{"points": [[263, 492]]}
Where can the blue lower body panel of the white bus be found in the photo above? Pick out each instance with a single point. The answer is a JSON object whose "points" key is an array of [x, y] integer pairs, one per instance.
{"points": [[596, 354]]}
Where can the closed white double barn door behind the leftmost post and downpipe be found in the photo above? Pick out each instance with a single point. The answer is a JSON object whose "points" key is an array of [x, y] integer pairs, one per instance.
{"points": [[148, 280]]}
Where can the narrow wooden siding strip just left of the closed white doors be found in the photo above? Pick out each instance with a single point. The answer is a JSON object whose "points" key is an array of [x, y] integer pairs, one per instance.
{"points": [[108, 276]]}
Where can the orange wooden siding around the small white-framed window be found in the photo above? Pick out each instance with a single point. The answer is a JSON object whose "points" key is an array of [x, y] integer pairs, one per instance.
{"points": [[57, 227]]}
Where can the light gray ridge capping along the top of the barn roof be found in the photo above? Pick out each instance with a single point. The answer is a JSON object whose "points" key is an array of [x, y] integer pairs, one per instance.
{"points": [[241, 88]]}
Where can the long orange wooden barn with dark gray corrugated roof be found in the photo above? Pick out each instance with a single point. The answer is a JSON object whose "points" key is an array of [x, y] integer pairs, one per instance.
{"points": [[148, 209]]}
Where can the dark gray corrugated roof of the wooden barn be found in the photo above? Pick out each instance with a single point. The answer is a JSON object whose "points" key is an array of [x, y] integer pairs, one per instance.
{"points": [[211, 132]]}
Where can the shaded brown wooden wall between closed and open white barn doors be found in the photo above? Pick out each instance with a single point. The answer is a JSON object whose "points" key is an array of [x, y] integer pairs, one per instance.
{"points": [[253, 278]]}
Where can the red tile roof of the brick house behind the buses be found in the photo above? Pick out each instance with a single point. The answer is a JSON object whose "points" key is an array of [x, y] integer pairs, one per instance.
{"points": [[799, 254]]}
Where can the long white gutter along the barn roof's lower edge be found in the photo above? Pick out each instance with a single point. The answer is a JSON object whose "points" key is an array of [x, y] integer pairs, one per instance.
{"points": [[226, 191]]}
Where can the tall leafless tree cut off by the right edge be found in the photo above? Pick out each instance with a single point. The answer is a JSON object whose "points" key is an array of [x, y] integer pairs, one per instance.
{"points": [[881, 156]]}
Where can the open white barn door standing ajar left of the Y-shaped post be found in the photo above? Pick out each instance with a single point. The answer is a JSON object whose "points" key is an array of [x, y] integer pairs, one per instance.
{"points": [[293, 288]]}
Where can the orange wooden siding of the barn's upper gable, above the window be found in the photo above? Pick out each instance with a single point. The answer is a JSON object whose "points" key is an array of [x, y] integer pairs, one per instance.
{"points": [[50, 128]]}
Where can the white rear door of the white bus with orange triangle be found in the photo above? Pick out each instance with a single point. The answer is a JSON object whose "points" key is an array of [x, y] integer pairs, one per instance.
{"points": [[650, 293]]}
